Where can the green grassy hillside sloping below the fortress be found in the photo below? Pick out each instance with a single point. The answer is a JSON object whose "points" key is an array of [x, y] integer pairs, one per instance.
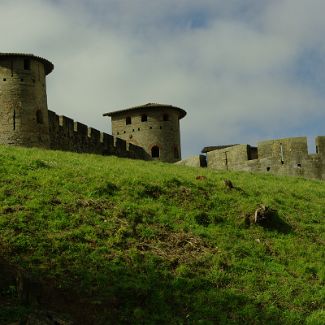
{"points": [[104, 240]]}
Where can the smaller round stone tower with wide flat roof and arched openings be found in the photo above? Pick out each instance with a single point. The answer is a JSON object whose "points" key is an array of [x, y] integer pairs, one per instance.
{"points": [[155, 127]]}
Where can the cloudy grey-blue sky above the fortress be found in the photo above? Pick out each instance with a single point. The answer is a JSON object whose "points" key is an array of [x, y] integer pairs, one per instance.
{"points": [[244, 70]]}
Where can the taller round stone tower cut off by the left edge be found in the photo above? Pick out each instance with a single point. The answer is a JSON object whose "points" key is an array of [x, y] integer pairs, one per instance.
{"points": [[23, 102]]}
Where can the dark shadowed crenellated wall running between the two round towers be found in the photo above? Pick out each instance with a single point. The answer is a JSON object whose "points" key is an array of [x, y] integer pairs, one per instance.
{"points": [[67, 135]]}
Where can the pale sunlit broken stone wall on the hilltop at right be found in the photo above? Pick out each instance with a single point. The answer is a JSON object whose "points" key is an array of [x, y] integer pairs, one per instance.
{"points": [[287, 156]]}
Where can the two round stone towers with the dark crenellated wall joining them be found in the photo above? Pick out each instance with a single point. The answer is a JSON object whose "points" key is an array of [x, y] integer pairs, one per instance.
{"points": [[25, 119]]}
